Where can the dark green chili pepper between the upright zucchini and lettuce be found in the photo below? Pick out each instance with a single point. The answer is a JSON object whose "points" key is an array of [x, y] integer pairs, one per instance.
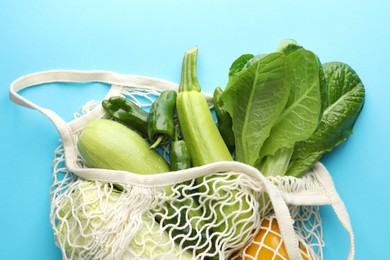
{"points": [[225, 123]]}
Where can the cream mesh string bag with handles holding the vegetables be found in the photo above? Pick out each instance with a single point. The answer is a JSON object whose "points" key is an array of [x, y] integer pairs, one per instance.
{"points": [[93, 219]]}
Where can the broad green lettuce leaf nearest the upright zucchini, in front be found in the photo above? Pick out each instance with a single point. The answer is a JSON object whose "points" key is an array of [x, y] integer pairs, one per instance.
{"points": [[255, 97]]}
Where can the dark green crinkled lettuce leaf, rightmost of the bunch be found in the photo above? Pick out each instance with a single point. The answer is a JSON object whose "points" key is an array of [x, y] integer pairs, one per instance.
{"points": [[346, 96]]}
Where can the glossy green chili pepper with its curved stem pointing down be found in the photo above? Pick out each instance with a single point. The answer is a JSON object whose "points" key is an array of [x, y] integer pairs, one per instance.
{"points": [[161, 127]]}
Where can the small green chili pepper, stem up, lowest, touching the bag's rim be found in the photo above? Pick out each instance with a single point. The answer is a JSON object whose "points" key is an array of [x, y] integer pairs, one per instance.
{"points": [[179, 154]]}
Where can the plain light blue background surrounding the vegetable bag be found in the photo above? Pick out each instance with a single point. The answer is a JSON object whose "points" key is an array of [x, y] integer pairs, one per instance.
{"points": [[149, 38]]}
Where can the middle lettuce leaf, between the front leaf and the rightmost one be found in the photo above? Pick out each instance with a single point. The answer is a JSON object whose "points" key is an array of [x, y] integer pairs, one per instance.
{"points": [[299, 118]]}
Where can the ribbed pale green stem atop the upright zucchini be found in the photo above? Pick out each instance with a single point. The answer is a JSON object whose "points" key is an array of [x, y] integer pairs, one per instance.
{"points": [[189, 80]]}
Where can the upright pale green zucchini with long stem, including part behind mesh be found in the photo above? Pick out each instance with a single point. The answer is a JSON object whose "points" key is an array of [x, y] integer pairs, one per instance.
{"points": [[207, 146]]}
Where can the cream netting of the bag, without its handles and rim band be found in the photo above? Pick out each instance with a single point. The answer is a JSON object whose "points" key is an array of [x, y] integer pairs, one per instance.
{"points": [[216, 216]]}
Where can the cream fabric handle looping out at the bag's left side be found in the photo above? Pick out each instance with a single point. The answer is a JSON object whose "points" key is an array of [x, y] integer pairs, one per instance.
{"points": [[66, 129]]}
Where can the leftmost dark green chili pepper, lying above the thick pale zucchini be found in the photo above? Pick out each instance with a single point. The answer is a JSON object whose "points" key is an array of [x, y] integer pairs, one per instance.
{"points": [[127, 112]]}
